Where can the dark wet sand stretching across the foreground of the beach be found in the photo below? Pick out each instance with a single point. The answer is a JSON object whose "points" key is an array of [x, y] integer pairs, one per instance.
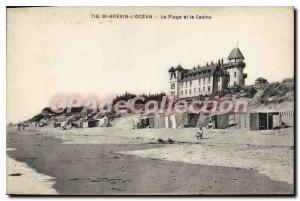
{"points": [[99, 169]]}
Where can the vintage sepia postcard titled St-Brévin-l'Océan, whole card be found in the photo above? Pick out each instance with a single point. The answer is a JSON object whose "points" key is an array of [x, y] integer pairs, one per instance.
{"points": [[150, 101]]}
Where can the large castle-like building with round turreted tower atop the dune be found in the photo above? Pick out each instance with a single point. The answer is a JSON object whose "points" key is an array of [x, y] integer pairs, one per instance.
{"points": [[208, 79]]}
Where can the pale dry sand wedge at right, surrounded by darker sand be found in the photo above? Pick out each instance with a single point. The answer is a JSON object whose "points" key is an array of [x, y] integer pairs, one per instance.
{"points": [[276, 163]]}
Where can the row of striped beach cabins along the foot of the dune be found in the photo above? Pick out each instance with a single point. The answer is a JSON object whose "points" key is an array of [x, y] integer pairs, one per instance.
{"points": [[249, 121]]}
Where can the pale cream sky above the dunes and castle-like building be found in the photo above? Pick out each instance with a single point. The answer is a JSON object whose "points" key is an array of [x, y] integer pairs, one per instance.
{"points": [[63, 51]]}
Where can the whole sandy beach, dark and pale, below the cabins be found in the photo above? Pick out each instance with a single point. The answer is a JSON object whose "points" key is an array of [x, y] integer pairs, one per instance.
{"points": [[119, 160]]}
